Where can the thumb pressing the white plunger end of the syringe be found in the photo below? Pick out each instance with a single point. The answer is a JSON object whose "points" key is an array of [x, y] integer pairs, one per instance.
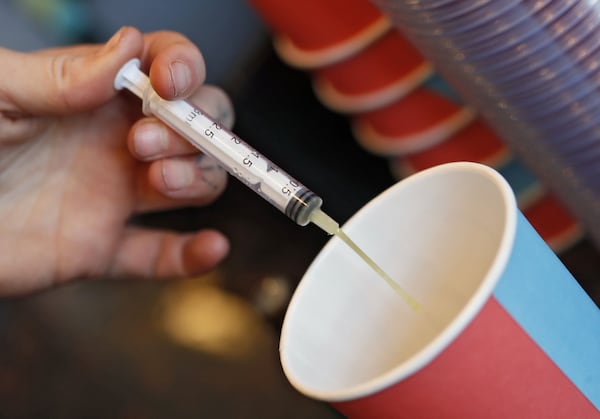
{"points": [[65, 80]]}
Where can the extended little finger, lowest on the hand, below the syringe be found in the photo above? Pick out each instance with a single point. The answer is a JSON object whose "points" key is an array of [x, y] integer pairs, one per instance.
{"points": [[159, 254]]}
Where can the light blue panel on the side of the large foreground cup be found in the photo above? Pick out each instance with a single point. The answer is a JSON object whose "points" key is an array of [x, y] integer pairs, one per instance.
{"points": [[542, 296]]}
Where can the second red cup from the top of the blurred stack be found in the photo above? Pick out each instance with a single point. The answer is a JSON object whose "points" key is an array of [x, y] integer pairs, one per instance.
{"points": [[385, 71]]}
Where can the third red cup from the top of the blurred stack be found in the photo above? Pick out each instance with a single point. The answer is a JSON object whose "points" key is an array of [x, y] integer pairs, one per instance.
{"points": [[414, 123]]}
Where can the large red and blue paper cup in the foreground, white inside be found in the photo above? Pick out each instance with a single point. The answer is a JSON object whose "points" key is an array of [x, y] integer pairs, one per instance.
{"points": [[504, 330]]}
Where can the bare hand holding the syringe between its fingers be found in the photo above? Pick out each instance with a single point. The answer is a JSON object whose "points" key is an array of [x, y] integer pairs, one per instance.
{"points": [[77, 160]]}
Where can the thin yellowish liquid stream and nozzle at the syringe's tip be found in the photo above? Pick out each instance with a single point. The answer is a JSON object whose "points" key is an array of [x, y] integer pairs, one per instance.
{"points": [[330, 226]]}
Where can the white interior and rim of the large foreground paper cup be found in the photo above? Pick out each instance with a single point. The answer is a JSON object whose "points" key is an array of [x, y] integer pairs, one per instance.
{"points": [[444, 235]]}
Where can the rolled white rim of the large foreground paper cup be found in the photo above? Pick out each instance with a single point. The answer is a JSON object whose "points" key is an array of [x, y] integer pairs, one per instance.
{"points": [[461, 320]]}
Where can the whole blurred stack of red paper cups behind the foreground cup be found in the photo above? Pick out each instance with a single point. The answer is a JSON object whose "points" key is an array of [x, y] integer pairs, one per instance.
{"points": [[399, 108]]}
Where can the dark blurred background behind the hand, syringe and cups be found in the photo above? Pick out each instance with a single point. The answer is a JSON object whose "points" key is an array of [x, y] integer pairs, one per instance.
{"points": [[200, 347]]}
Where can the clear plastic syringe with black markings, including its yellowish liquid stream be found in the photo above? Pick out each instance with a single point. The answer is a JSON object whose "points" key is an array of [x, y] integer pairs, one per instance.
{"points": [[242, 161]]}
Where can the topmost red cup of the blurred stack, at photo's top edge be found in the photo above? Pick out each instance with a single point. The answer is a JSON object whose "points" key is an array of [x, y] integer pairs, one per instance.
{"points": [[313, 33]]}
